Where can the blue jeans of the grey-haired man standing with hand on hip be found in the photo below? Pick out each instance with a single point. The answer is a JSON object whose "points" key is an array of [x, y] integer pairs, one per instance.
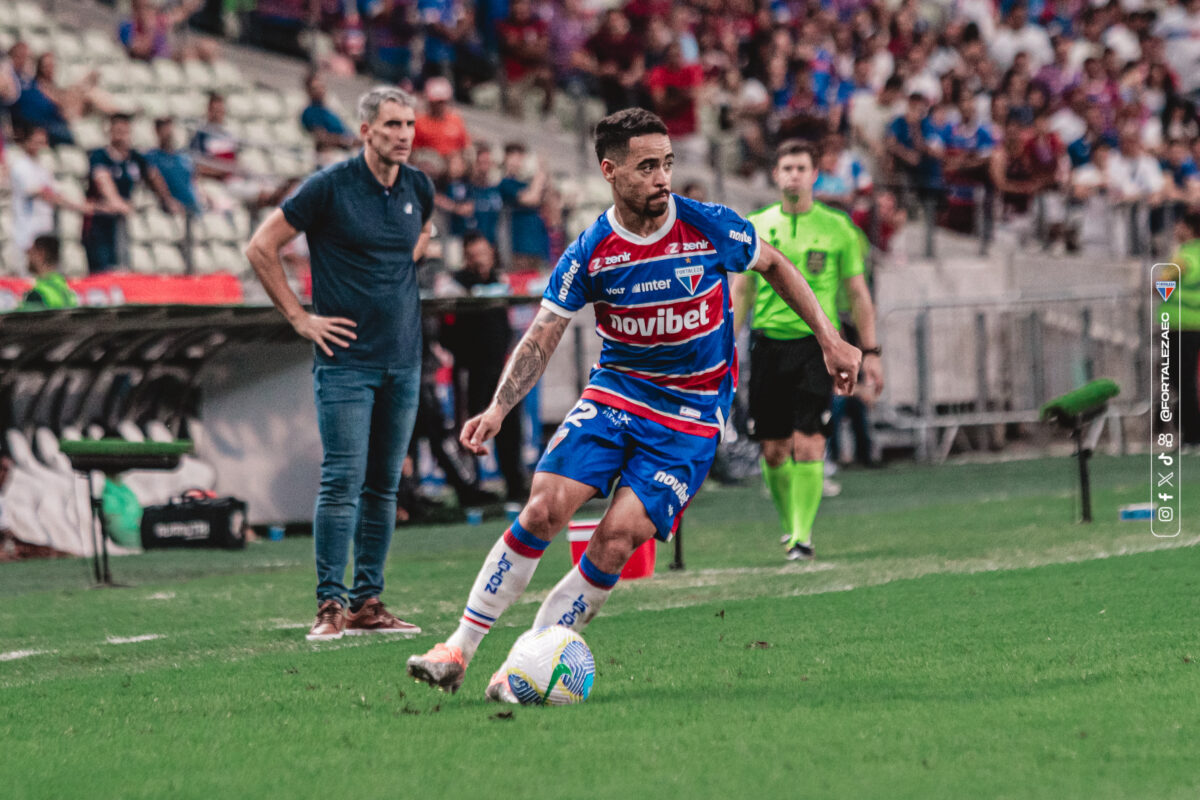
{"points": [[367, 420]]}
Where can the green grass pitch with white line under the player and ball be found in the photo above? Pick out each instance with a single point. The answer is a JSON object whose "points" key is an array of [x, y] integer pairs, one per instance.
{"points": [[959, 636]]}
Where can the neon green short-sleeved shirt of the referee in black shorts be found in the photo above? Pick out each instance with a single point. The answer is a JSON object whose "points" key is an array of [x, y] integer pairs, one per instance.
{"points": [[824, 245]]}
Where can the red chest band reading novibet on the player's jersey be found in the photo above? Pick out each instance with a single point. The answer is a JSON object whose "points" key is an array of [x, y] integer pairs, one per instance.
{"points": [[669, 323]]}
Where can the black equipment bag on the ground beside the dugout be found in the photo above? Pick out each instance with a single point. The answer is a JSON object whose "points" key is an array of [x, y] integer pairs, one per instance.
{"points": [[195, 520]]}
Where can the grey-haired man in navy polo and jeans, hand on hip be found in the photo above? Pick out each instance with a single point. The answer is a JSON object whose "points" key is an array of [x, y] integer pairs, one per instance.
{"points": [[368, 222]]}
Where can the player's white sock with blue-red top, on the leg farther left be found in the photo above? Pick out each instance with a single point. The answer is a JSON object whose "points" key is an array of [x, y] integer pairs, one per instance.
{"points": [[502, 580]]}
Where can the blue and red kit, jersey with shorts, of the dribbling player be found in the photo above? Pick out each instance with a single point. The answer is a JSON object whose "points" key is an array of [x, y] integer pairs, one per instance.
{"points": [[669, 363]]}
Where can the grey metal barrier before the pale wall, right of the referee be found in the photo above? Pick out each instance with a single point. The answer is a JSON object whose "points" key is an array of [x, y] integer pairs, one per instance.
{"points": [[995, 362]]}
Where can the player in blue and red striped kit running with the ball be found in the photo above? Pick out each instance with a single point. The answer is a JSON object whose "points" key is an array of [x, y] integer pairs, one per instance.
{"points": [[647, 428]]}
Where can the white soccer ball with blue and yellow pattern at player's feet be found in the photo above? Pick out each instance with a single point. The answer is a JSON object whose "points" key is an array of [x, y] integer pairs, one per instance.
{"points": [[551, 666]]}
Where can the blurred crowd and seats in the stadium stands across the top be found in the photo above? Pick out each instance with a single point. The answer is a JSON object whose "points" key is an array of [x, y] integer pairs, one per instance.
{"points": [[1077, 117]]}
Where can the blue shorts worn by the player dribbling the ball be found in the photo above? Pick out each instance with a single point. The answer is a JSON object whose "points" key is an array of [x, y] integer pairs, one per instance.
{"points": [[607, 448]]}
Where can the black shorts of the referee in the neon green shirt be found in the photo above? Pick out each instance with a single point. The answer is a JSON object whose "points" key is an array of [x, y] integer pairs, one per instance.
{"points": [[790, 388]]}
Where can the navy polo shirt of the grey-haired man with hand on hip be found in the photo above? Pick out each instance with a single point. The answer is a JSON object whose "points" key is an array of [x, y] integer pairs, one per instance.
{"points": [[362, 237]]}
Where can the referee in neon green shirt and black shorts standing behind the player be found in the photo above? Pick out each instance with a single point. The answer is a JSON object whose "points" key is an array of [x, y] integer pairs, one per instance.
{"points": [[790, 389]]}
